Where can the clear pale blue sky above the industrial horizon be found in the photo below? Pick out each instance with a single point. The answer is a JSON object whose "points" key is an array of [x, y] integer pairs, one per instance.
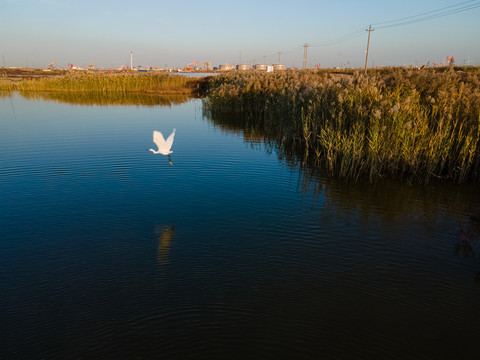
{"points": [[35, 32]]}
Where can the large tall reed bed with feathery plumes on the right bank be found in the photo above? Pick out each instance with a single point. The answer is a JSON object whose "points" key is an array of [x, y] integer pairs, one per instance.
{"points": [[397, 123]]}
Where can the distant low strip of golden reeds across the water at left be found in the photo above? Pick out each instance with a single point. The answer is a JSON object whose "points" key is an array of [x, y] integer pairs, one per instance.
{"points": [[147, 83]]}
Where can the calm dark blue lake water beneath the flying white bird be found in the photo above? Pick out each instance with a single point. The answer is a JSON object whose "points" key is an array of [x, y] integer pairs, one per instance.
{"points": [[108, 251]]}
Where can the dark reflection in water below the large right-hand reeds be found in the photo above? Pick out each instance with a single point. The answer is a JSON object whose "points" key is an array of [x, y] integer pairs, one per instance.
{"points": [[394, 201]]}
